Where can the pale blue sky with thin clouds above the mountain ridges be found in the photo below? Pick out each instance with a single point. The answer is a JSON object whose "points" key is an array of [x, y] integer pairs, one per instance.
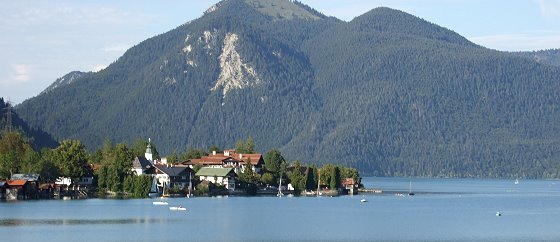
{"points": [[44, 39]]}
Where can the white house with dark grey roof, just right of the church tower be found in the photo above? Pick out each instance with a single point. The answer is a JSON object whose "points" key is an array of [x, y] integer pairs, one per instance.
{"points": [[170, 176]]}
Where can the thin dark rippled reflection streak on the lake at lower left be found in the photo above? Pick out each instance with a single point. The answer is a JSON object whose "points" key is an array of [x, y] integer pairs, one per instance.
{"points": [[63, 222]]}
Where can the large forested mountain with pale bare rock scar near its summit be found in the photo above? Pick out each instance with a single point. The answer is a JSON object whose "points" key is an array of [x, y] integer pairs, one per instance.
{"points": [[388, 93]]}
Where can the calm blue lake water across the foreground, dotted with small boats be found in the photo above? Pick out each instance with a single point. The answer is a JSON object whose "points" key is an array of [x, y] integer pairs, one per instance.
{"points": [[442, 210]]}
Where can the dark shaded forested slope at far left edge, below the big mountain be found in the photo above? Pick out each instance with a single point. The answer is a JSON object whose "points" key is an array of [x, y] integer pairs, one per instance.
{"points": [[38, 138]]}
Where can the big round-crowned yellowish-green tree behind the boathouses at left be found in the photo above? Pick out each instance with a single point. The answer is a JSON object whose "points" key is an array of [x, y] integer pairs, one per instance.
{"points": [[71, 158]]}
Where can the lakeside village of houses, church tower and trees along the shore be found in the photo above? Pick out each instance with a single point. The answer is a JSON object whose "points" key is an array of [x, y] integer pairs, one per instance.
{"points": [[227, 172]]}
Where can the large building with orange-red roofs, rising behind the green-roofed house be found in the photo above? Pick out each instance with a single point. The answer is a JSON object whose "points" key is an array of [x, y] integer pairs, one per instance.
{"points": [[228, 159]]}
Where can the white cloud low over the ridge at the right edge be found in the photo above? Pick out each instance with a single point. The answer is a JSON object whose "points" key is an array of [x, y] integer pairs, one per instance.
{"points": [[519, 42]]}
